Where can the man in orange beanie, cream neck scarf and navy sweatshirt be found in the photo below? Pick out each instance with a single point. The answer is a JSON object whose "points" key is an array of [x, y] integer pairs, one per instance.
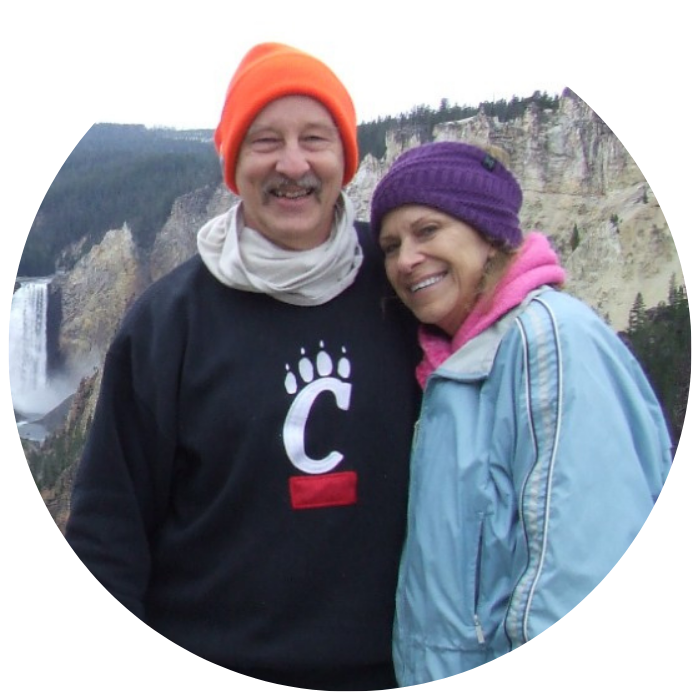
{"points": [[243, 488]]}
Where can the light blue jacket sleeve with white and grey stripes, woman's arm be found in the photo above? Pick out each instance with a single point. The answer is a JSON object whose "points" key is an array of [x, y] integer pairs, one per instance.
{"points": [[591, 457]]}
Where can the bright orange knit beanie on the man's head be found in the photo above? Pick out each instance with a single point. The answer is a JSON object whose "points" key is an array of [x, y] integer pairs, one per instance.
{"points": [[270, 71]]}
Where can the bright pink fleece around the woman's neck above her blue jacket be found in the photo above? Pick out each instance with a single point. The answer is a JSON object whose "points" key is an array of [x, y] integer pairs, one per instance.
{"points": [[536, 264]]}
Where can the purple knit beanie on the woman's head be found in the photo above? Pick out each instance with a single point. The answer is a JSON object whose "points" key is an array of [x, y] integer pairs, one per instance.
{"points": [[459, 179]]}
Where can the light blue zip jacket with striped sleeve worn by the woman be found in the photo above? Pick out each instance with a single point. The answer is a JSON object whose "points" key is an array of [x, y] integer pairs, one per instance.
{"points": [[540, 453]]}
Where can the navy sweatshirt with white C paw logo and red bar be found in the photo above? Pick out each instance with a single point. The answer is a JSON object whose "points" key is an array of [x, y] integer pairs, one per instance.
{"points": [[243, 488]]}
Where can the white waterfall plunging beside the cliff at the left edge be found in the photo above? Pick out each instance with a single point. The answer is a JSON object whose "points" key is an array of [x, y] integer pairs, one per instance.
{"points": [[27, 362]]}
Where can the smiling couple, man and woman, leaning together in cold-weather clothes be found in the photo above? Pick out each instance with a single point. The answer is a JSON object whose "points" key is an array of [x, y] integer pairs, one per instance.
{"points": [[245, 487]]}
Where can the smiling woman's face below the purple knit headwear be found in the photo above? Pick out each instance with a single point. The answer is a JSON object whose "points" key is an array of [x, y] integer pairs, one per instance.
{"points": [[435, 263]]}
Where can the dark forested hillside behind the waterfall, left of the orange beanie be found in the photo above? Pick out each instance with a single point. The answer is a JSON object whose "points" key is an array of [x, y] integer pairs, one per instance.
{"points": [[116, 174]]}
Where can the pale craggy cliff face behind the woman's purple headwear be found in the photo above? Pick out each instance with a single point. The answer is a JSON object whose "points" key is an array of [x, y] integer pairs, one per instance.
{"points": [[582, 188]]}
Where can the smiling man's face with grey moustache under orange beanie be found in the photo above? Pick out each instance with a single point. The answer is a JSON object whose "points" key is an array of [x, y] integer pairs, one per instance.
{"points": [[290, 172]]}
